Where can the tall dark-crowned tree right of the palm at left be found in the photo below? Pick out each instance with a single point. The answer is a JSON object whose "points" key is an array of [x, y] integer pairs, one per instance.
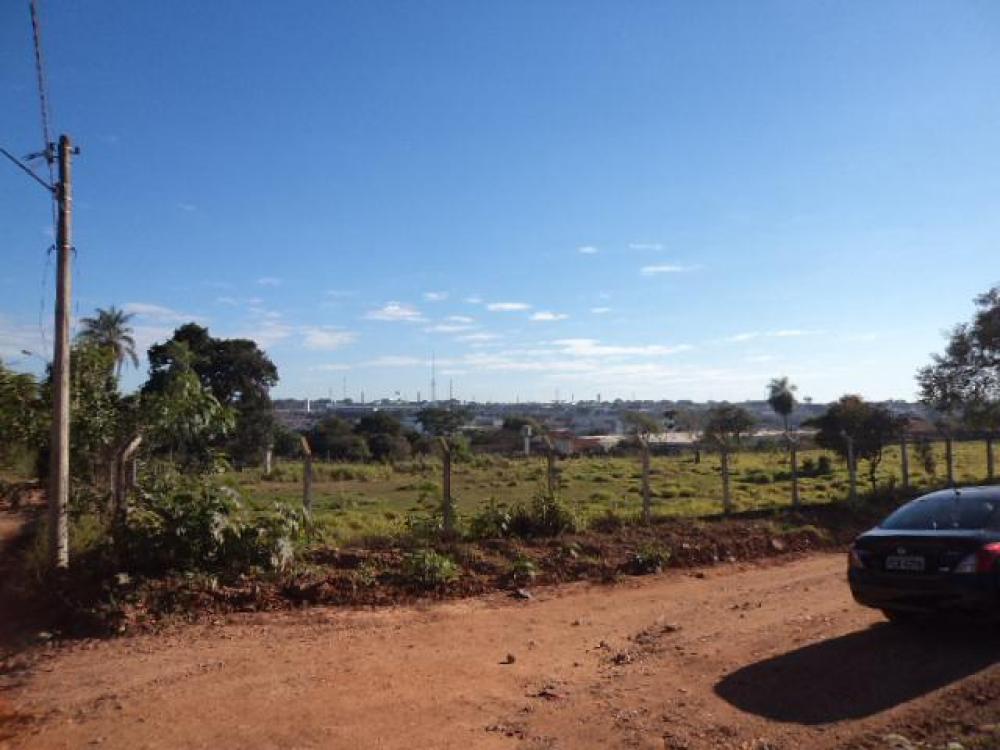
{"points": [[236, 372]]}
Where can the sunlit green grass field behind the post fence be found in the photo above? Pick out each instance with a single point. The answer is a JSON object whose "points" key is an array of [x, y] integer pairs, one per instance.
{"points": [[356, 500]]}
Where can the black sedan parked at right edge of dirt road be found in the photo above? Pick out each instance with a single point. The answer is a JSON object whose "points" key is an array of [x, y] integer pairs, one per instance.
{"points": [[937, 553]]}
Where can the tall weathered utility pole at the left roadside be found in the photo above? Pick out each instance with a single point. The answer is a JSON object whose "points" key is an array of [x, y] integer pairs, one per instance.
{"points": [[58, 496]]}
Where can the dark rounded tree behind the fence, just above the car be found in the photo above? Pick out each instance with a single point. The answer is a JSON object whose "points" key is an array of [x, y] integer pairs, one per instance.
{"points": [[857, 430]]}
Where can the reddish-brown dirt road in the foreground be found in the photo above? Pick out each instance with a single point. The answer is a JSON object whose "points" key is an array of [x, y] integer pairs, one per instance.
{"points": [[770, 656]]}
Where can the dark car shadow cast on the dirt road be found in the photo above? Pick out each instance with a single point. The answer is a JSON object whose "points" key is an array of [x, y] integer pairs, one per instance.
{"points": [[861, 673]]}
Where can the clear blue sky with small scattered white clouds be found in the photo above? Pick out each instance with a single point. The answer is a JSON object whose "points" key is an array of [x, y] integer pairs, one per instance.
{"points": [[659, 199]]}
